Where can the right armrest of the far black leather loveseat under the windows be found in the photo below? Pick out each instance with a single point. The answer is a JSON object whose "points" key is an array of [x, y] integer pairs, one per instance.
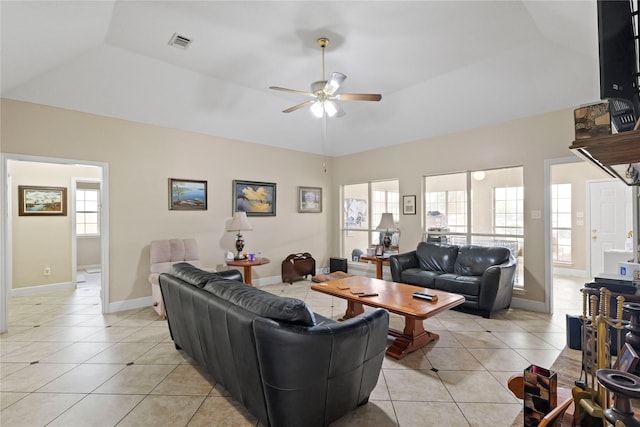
{"points": [[496, 286]]}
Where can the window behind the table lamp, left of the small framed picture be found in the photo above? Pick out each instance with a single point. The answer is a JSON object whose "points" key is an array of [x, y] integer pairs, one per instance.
{"points": [[363, 206]]}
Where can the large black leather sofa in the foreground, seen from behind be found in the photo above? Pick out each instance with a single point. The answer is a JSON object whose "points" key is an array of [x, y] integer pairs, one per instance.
{"points": [[287, 365]]}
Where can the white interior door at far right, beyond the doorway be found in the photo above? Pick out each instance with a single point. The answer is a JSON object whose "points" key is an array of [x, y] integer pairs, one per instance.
{"points": [[609, 220]]}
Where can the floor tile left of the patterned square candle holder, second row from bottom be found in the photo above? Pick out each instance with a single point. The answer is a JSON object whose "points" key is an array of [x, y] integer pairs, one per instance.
{"points": [[475, 386]]}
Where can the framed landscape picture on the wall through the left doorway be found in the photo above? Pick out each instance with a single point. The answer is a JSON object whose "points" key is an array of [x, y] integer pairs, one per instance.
{"points": [[42, 201]]}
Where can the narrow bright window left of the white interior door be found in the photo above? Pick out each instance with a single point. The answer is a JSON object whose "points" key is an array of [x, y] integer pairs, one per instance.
{"points": [[561, 223]]}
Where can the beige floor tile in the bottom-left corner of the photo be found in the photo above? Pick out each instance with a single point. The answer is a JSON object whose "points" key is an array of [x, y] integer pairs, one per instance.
{"points": [[38, 409]]}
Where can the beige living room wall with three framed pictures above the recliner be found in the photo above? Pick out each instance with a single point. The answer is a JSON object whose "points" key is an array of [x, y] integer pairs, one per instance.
{"points": [[141, 158]]}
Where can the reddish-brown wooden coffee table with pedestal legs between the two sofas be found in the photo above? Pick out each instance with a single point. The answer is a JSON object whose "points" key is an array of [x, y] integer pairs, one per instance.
{"points": [[396, 298]]}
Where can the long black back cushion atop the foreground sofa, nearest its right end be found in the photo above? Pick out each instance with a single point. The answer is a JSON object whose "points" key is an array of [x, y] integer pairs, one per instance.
{"points": [[261, 303]]}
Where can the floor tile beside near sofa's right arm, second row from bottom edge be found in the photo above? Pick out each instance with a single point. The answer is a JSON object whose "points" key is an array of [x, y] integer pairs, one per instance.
{"points": [[423, 386]]}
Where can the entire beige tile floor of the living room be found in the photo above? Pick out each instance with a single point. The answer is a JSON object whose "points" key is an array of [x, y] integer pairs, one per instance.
{"points": [[62, 363]]}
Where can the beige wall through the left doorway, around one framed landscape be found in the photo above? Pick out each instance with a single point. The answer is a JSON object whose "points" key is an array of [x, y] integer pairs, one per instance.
{"points": [[40, 241]]}
